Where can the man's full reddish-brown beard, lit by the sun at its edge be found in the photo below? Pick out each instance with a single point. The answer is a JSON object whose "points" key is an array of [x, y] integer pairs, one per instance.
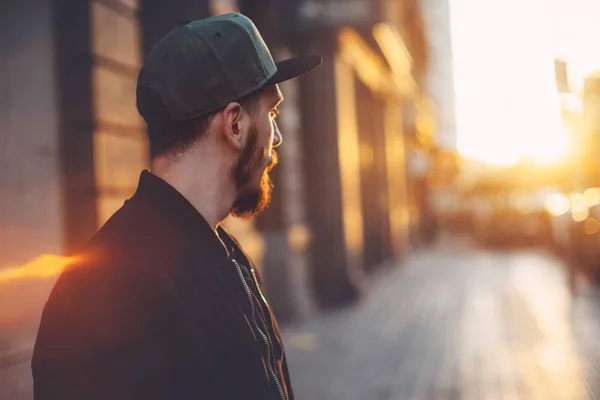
{"points": [[251, 201]]}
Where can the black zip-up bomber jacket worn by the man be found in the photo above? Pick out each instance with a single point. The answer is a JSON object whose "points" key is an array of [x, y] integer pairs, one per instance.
{"points": [[155, 307]]}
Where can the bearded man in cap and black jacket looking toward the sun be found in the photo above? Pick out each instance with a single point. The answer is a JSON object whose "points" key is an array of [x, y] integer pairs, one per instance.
{"points": [[162, 303]]}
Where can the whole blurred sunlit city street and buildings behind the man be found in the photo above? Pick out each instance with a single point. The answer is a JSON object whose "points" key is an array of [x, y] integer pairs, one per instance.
{"points": [[435, 227]]}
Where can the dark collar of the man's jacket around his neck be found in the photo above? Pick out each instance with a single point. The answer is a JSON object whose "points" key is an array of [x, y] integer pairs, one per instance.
{"points": [[169, 202]]}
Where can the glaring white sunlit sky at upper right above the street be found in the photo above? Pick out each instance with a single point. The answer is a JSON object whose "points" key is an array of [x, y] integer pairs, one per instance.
{"points": [[504, 52]]}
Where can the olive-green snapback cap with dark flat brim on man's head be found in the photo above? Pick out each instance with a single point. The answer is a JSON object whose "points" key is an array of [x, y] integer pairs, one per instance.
{"points": [[201, 66]]}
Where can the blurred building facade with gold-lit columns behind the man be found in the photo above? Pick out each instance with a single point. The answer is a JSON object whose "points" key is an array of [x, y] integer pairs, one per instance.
{"points": [[73, 144]]}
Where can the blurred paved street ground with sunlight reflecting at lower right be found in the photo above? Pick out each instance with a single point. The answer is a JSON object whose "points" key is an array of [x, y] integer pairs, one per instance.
{"points": [[455, 325]]}
